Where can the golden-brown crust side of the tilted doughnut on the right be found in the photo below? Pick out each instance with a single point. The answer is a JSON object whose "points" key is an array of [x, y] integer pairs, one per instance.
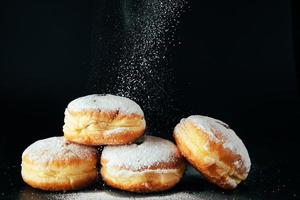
{"points": [[215, 162]]}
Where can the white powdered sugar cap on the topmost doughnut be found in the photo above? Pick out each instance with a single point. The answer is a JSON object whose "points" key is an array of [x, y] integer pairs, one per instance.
{"points": [[107, 103]]}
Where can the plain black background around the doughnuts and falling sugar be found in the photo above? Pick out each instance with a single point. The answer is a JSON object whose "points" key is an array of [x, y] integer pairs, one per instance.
{"points": [[236, 62]]}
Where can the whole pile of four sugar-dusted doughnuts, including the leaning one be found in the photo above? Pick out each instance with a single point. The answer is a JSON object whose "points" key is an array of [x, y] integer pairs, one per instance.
{"points": [[131, 160]]}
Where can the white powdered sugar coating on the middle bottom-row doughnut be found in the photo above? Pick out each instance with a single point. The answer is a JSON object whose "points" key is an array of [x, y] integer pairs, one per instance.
{"points": [[134, 157]]}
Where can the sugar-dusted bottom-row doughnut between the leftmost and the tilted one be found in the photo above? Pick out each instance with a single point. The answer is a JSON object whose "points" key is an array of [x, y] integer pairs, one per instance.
{"points": [[153, 165]]}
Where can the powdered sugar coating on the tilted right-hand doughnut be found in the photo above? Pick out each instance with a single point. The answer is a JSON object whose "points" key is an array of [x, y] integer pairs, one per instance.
{"points": [[220, 132]]}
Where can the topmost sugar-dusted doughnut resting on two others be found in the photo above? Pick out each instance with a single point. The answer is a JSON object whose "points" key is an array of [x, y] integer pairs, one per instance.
{"points": [[103, 120]]}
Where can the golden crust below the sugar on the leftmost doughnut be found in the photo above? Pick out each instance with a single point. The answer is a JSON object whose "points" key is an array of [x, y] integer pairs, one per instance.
{"points": [[58, 176]]}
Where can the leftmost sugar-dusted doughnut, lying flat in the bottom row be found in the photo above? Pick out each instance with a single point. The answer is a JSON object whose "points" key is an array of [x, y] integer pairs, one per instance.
{"points": [[55, 164]]}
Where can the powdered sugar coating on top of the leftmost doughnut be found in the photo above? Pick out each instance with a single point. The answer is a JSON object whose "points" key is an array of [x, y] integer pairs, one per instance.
{"points": [[57, 148]]}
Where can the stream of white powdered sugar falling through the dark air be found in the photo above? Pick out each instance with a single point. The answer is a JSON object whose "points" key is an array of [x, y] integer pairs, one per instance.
{"points": [[140, 68]]}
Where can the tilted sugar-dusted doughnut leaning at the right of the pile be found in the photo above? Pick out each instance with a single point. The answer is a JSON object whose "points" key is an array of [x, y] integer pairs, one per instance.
{"points": [[213, 149]]}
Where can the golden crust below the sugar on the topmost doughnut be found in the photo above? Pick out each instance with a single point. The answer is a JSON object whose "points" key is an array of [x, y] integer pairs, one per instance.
{"points": [[90, 127]]}
